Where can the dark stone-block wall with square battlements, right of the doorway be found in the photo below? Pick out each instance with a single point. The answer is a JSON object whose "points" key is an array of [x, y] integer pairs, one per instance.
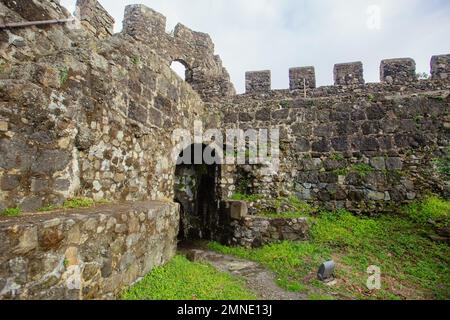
{"points": [[364, 147]]}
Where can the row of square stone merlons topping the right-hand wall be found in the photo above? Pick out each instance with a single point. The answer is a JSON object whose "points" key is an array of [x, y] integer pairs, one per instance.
{"points": [[393, 72]]}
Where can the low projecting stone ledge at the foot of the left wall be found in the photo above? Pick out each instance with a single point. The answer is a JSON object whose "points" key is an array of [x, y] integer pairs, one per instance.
{"points": [[85, 254]]}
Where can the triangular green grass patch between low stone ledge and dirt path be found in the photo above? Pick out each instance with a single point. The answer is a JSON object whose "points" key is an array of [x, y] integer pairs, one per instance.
{"points": [[181, 279]]}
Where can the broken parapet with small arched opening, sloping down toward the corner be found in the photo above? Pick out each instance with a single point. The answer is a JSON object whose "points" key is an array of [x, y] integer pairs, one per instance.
{"points": [[195, 50]]}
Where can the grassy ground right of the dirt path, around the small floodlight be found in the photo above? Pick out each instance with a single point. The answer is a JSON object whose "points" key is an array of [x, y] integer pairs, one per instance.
{"points": [[412, 265]]}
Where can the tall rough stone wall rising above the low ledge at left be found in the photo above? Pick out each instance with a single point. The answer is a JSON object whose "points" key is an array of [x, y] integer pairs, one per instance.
{"points": [[86, 117]]}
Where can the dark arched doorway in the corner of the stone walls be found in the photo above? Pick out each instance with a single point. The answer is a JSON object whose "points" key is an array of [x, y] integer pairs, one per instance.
{"points": [[197, 190]]}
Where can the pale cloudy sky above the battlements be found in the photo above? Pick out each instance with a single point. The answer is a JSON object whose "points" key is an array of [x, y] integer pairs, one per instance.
{"points": [[279, 34]]}
